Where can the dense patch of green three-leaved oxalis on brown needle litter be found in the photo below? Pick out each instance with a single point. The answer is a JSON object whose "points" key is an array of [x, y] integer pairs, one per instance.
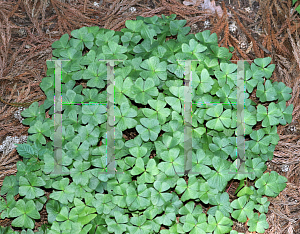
{"points": [[152, 192]]}
